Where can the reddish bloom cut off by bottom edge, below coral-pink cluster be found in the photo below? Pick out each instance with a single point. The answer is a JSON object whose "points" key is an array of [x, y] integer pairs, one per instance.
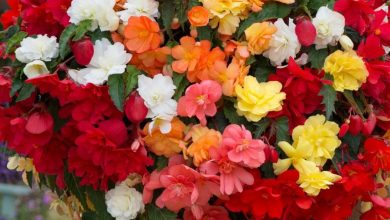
{"points": [[205, 212]]}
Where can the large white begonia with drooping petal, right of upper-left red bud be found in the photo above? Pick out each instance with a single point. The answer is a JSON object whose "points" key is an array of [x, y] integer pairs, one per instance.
{"points": [[108, 59]]}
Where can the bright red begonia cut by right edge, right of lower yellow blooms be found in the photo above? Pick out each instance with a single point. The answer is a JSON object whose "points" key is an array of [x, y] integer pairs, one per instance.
{"points": [[377, 153]]}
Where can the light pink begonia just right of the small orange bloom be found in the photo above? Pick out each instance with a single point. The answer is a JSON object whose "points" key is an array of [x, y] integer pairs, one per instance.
{"points": [[242, 148]]}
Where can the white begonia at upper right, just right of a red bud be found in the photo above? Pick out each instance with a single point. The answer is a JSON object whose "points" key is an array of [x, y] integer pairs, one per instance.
{"points": [[329, 26]]}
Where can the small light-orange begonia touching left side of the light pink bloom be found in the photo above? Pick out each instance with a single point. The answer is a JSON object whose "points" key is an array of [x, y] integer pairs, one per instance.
{"points": [[203, 139]]}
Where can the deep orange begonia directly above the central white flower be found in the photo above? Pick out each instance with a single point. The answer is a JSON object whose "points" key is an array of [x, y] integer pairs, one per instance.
{"points": [[152, 61]]}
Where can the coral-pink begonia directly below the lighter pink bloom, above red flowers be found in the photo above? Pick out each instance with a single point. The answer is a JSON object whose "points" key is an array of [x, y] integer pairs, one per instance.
{"points": [[232, 175]]}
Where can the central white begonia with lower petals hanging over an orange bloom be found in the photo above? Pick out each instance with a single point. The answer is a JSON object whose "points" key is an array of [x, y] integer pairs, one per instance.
{"points": [[157, 93]]}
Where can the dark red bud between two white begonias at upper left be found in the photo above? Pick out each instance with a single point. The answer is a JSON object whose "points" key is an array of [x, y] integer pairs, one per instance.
{"points": [[83, 51]]}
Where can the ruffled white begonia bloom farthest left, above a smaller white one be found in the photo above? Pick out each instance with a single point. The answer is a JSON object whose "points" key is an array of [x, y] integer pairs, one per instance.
{"points": [[40, 48]]}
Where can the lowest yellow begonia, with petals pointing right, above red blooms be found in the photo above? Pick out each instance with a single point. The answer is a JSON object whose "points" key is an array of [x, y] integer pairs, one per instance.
{"points": [[312, 180]]}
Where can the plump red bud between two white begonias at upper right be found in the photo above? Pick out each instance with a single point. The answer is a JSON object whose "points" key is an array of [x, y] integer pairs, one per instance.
{"points": [[305, 31]]}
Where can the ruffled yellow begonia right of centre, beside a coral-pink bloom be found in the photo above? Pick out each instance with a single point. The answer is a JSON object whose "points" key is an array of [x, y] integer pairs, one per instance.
{"points": [[255, 100]]}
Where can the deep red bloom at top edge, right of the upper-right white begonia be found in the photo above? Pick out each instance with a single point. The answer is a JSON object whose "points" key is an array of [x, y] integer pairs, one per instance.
{"points": [[357, 13]]}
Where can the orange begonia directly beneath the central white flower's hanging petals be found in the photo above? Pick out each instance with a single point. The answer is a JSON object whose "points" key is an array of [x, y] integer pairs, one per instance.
{"points": [[166, 144]]}
